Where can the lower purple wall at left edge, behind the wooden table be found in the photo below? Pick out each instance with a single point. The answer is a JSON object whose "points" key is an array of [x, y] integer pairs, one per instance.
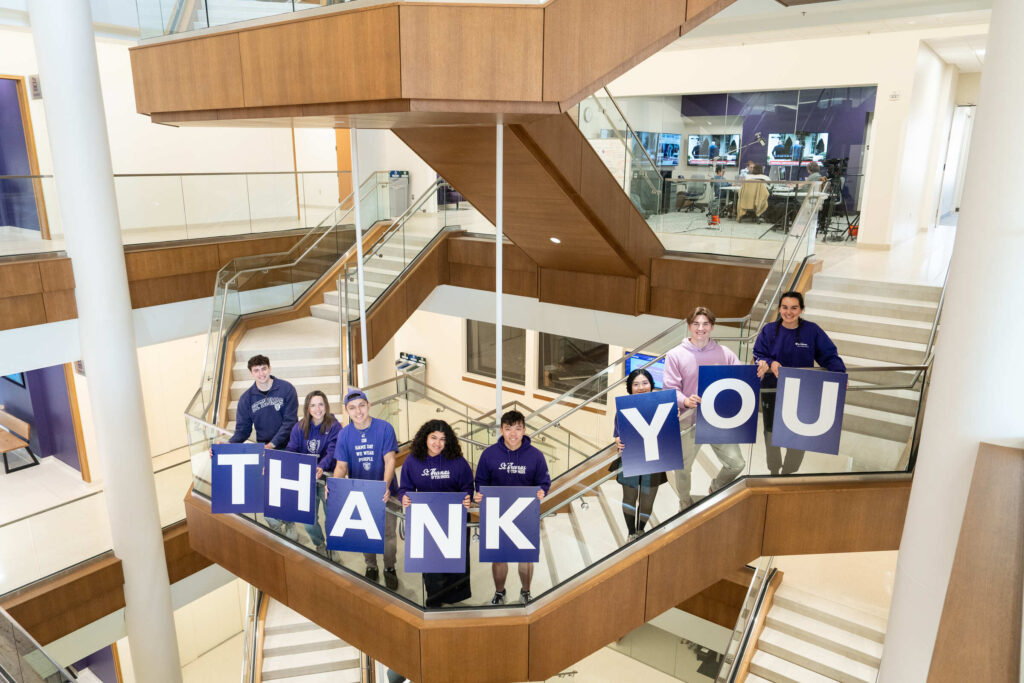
{"points": [[44, 403]]}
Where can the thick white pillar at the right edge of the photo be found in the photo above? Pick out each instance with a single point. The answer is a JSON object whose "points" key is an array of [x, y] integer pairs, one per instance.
{"points": [[975, 395]]}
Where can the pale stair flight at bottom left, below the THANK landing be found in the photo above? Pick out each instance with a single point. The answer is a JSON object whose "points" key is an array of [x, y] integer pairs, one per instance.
{"points": [[296, 650]]}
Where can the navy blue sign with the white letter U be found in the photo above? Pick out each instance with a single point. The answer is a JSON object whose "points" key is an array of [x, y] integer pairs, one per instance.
{"points": [[809, 410]]}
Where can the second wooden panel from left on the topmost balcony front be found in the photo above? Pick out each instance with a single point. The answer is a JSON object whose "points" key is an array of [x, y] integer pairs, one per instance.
{"points": [[348, 57]]}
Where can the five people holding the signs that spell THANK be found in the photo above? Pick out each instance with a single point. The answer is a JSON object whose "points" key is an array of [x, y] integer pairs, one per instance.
{"points": [[367, 448]]}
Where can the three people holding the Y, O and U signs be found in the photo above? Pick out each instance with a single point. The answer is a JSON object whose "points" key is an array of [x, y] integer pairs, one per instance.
{"points": [[788, 343]]}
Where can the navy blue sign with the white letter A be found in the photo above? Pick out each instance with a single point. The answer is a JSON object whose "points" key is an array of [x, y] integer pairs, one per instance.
{"points": [[356, 516]]}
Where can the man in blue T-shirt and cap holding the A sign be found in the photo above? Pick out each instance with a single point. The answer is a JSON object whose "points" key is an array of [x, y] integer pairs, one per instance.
{"points": [[366, 450]]}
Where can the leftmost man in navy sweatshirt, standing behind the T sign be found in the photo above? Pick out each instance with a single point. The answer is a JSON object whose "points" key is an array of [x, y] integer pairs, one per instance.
{"points": [[273, 407]]}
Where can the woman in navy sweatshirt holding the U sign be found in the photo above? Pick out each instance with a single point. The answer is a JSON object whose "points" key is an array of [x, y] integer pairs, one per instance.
{"points": [[789, 343]]}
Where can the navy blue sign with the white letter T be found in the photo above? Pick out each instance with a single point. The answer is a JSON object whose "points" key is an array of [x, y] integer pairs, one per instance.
{"points": [[238, 478]]}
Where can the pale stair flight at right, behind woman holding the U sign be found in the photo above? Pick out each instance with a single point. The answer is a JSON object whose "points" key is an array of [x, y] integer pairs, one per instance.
{"points": [[877, 324]]}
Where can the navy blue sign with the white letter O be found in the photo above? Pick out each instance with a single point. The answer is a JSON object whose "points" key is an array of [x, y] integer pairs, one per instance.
{"points": [[729, 410]]}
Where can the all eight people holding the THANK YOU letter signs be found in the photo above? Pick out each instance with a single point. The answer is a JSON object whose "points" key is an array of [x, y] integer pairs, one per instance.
{"points": [[367, 448]]}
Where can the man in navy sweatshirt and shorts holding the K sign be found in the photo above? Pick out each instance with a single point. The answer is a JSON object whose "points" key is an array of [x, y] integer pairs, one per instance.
{"points": [[513, 462]]}
